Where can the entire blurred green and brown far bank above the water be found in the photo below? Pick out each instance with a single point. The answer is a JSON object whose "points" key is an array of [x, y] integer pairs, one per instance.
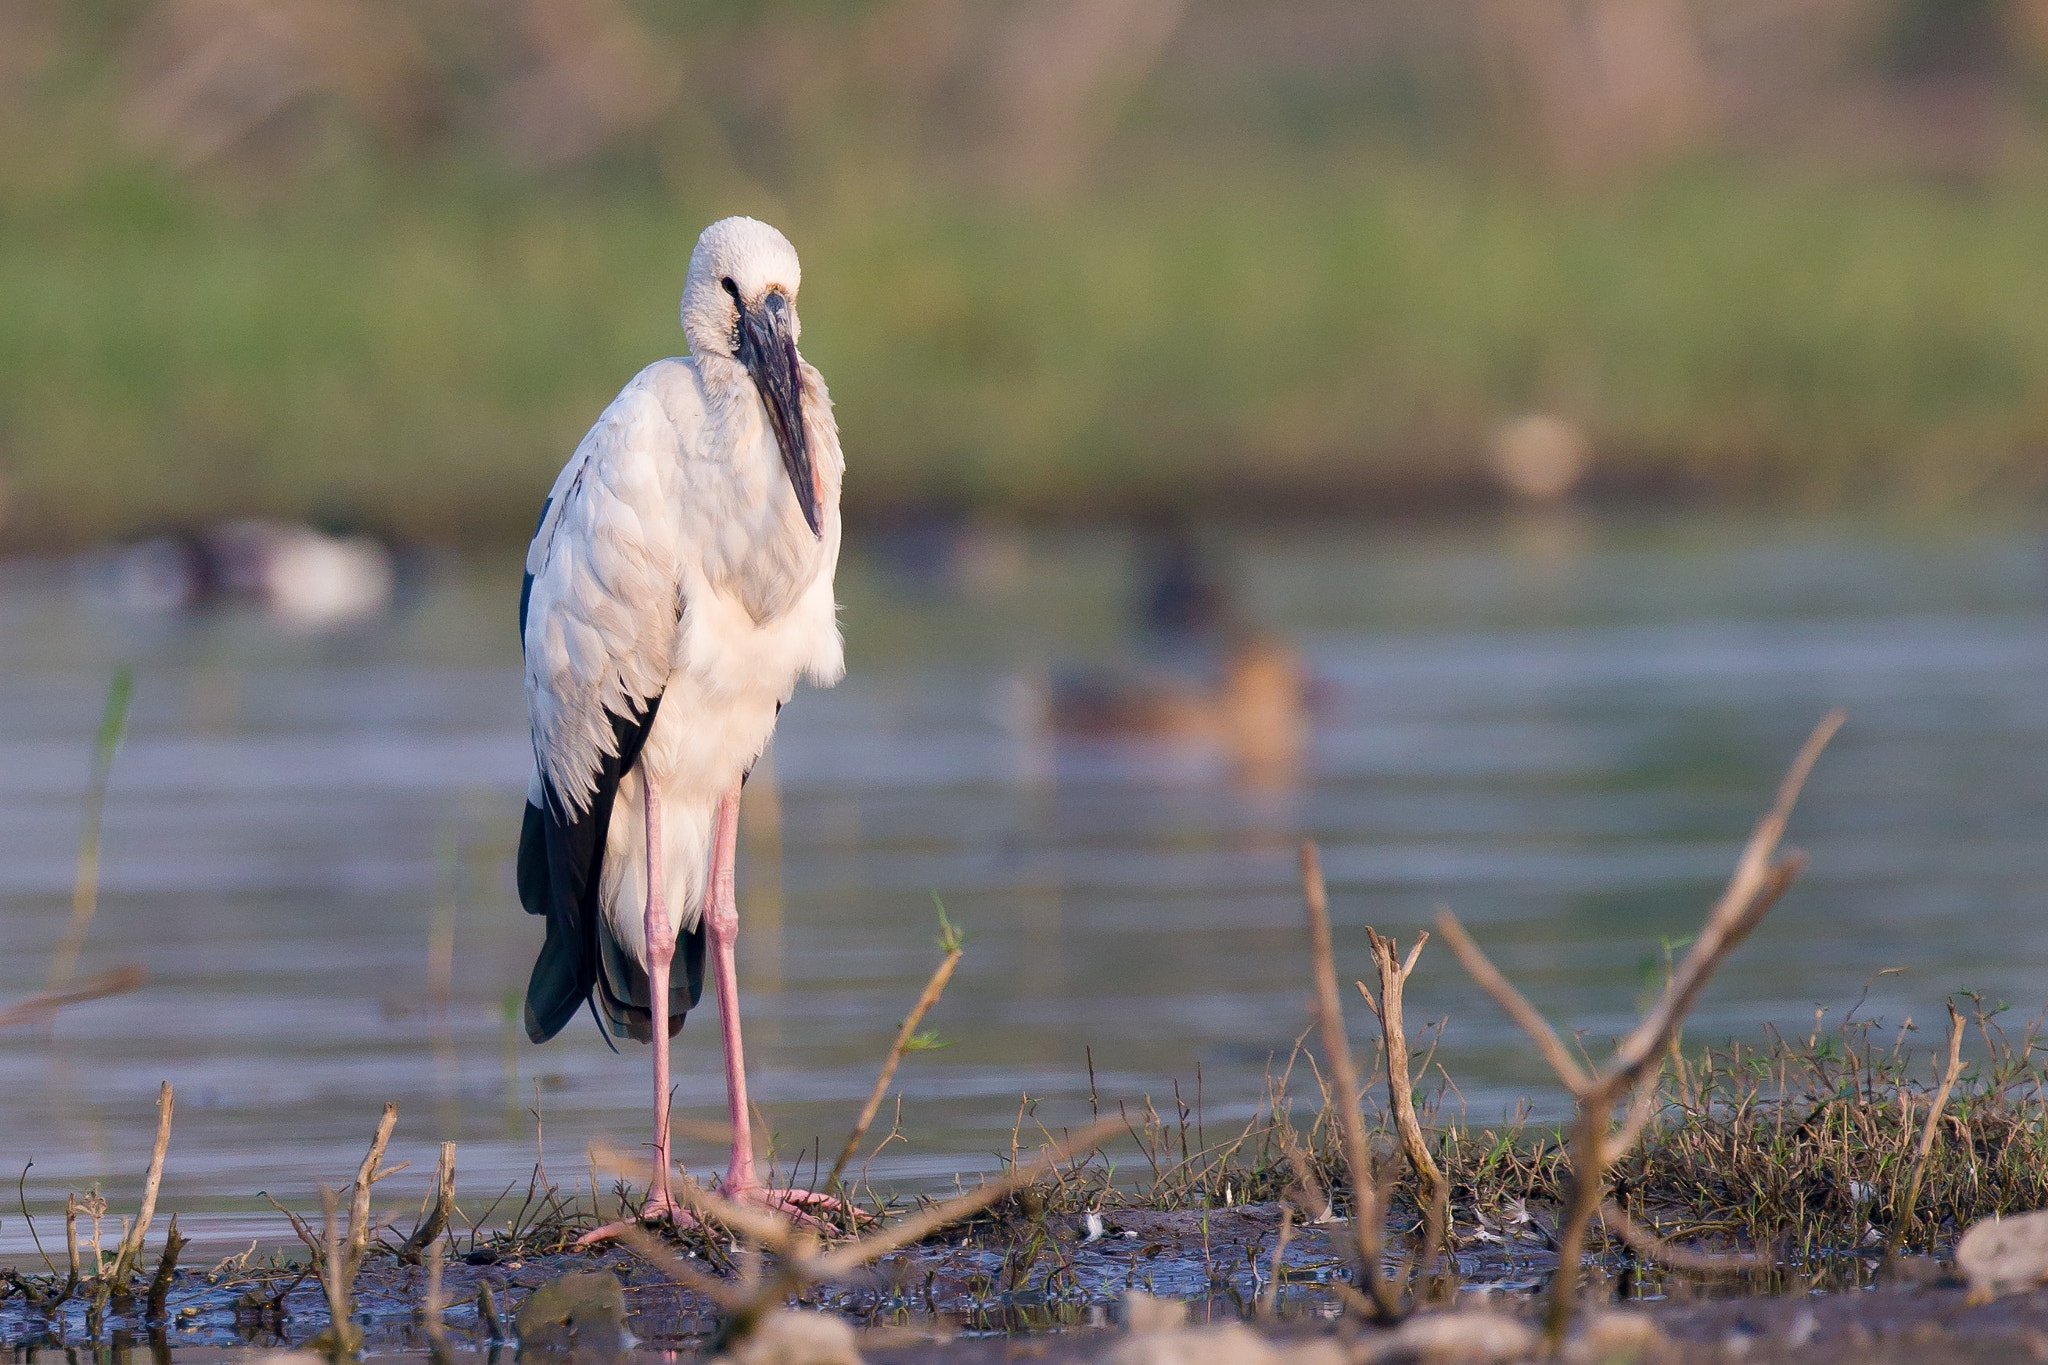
{"points": [[384, 261]]}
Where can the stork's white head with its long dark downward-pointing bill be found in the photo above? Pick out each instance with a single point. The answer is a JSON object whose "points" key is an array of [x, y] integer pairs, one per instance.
{"points": [[740, 304]]}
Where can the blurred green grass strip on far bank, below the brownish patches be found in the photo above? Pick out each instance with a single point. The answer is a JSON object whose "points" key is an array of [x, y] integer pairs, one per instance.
{"points": [[423, 349]]}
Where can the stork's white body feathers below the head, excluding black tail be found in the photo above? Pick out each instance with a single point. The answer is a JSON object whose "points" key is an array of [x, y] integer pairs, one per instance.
{"points": [[675, 564]]}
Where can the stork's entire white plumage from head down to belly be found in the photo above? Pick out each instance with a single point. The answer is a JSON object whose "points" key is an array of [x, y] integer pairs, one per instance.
{"points": [[677, 566]]}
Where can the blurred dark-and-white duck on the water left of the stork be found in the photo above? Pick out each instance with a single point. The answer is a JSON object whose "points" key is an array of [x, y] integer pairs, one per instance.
{"points": [[298, 576]]}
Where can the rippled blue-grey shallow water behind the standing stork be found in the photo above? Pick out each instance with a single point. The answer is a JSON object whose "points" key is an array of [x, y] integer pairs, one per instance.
{"points": [[1562, 728]]}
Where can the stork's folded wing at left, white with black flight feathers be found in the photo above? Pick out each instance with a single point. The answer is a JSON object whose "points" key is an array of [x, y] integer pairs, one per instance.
{"points": [[597, 627]]}
